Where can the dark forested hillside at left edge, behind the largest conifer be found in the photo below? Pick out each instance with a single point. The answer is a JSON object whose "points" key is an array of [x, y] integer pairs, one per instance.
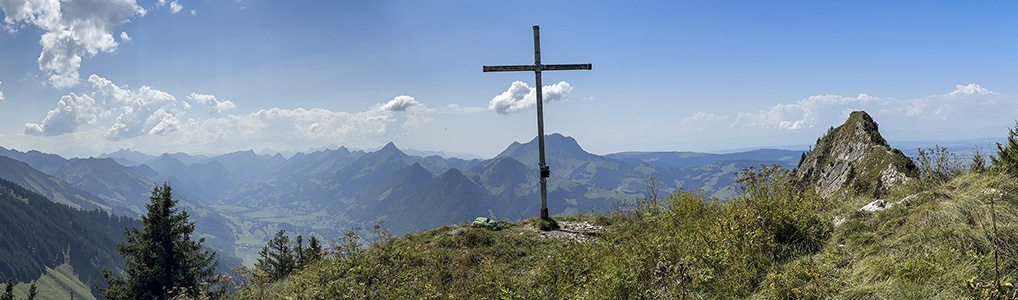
{"points": [[36, 233]]}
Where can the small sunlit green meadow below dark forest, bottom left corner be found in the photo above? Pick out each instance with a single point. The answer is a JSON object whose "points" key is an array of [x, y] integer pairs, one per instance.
{"points": [[55, 284]]}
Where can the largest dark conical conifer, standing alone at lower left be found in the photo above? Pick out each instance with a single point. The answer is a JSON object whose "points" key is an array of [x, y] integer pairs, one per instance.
{"points": [[161, 258]]}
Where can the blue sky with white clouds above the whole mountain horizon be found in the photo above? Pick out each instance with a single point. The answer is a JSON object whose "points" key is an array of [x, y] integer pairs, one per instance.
{"points": [[87, 77]]}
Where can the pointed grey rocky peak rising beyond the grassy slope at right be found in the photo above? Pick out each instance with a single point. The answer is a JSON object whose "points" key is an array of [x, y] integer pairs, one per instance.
{"points": [[855, 158]]}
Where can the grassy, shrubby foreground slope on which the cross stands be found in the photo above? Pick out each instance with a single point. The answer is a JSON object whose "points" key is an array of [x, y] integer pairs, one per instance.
{"points": [[773, 243]]}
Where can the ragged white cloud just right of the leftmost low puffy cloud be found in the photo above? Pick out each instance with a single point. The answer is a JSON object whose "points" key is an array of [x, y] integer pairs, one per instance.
{"points": [[141, 112]]}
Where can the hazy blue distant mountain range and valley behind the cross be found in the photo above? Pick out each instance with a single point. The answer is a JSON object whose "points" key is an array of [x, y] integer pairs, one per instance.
{"points": [[240, 200]]}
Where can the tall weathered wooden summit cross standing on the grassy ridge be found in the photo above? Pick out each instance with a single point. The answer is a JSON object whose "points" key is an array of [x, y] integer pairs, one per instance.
{"points": [[537, 68]]}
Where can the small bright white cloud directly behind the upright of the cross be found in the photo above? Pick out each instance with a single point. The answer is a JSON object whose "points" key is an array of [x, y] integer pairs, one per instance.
{"points": [[522, 97]]}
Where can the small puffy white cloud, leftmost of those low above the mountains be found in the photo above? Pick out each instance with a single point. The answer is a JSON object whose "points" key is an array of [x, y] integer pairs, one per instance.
{"points": [[72, 112]]}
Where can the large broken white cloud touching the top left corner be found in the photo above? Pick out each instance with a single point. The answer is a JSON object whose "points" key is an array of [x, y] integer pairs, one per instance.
{"points": [[72, 30]]}
